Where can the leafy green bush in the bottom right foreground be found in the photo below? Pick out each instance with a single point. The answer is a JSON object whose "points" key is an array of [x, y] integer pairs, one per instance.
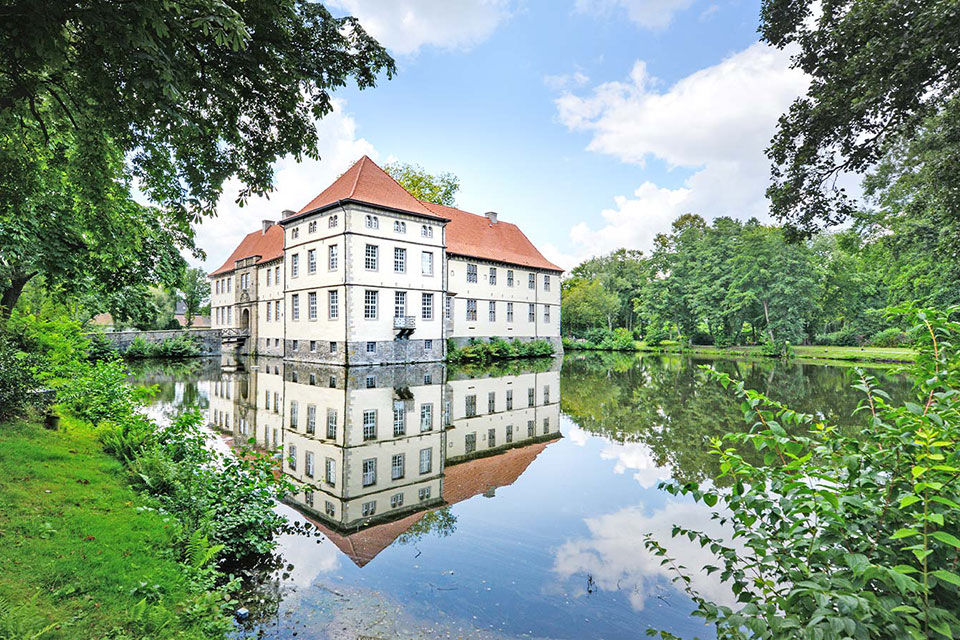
{"points": [[840, 534]]}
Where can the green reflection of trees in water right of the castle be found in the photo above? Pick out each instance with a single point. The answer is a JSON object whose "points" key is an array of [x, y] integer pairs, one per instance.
{"points": [[669, 406]]}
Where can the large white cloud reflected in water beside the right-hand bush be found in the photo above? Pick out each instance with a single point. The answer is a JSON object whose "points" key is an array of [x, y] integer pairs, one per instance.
{"points": [[615, 557]]}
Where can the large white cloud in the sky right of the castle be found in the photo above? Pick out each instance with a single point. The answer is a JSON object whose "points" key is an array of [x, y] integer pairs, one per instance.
{"points": [[716, 122]]}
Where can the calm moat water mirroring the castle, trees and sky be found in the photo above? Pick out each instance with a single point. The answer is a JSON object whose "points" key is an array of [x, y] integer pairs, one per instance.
{"points": [[527, 516]]}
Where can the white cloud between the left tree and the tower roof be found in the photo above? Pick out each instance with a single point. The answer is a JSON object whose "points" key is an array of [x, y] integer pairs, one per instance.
{"points": [[295, 185]]}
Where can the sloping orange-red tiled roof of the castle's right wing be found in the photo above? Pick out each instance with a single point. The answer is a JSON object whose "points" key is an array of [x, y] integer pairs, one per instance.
{"points": [[476, 236]]}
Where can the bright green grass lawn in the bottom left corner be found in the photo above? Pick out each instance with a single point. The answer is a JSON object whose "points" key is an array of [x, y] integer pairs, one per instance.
{"points": [[78, 549]]}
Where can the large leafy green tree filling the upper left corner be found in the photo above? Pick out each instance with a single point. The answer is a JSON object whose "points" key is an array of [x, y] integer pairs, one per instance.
{"points": [[178, 96]]}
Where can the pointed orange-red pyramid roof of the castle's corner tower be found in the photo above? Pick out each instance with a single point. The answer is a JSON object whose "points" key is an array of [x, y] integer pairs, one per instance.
{"points": [[366, 182]]}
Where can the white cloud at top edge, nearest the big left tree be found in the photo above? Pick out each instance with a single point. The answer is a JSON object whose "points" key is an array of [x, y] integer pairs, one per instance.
{"points": [[403, 26]]}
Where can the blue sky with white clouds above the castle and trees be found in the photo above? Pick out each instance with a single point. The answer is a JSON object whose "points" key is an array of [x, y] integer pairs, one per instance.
{"points": [[592, 124]]}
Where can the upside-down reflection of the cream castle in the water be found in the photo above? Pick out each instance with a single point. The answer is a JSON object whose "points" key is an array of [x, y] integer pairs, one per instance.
{"points": [[377, 448]]}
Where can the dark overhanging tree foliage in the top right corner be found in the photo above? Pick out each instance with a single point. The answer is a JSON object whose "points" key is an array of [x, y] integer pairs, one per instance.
{"points": [[879, 72]]}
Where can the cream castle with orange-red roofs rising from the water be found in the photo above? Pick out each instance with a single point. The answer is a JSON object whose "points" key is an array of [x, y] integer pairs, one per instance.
{"points": [[366, 273]]}
